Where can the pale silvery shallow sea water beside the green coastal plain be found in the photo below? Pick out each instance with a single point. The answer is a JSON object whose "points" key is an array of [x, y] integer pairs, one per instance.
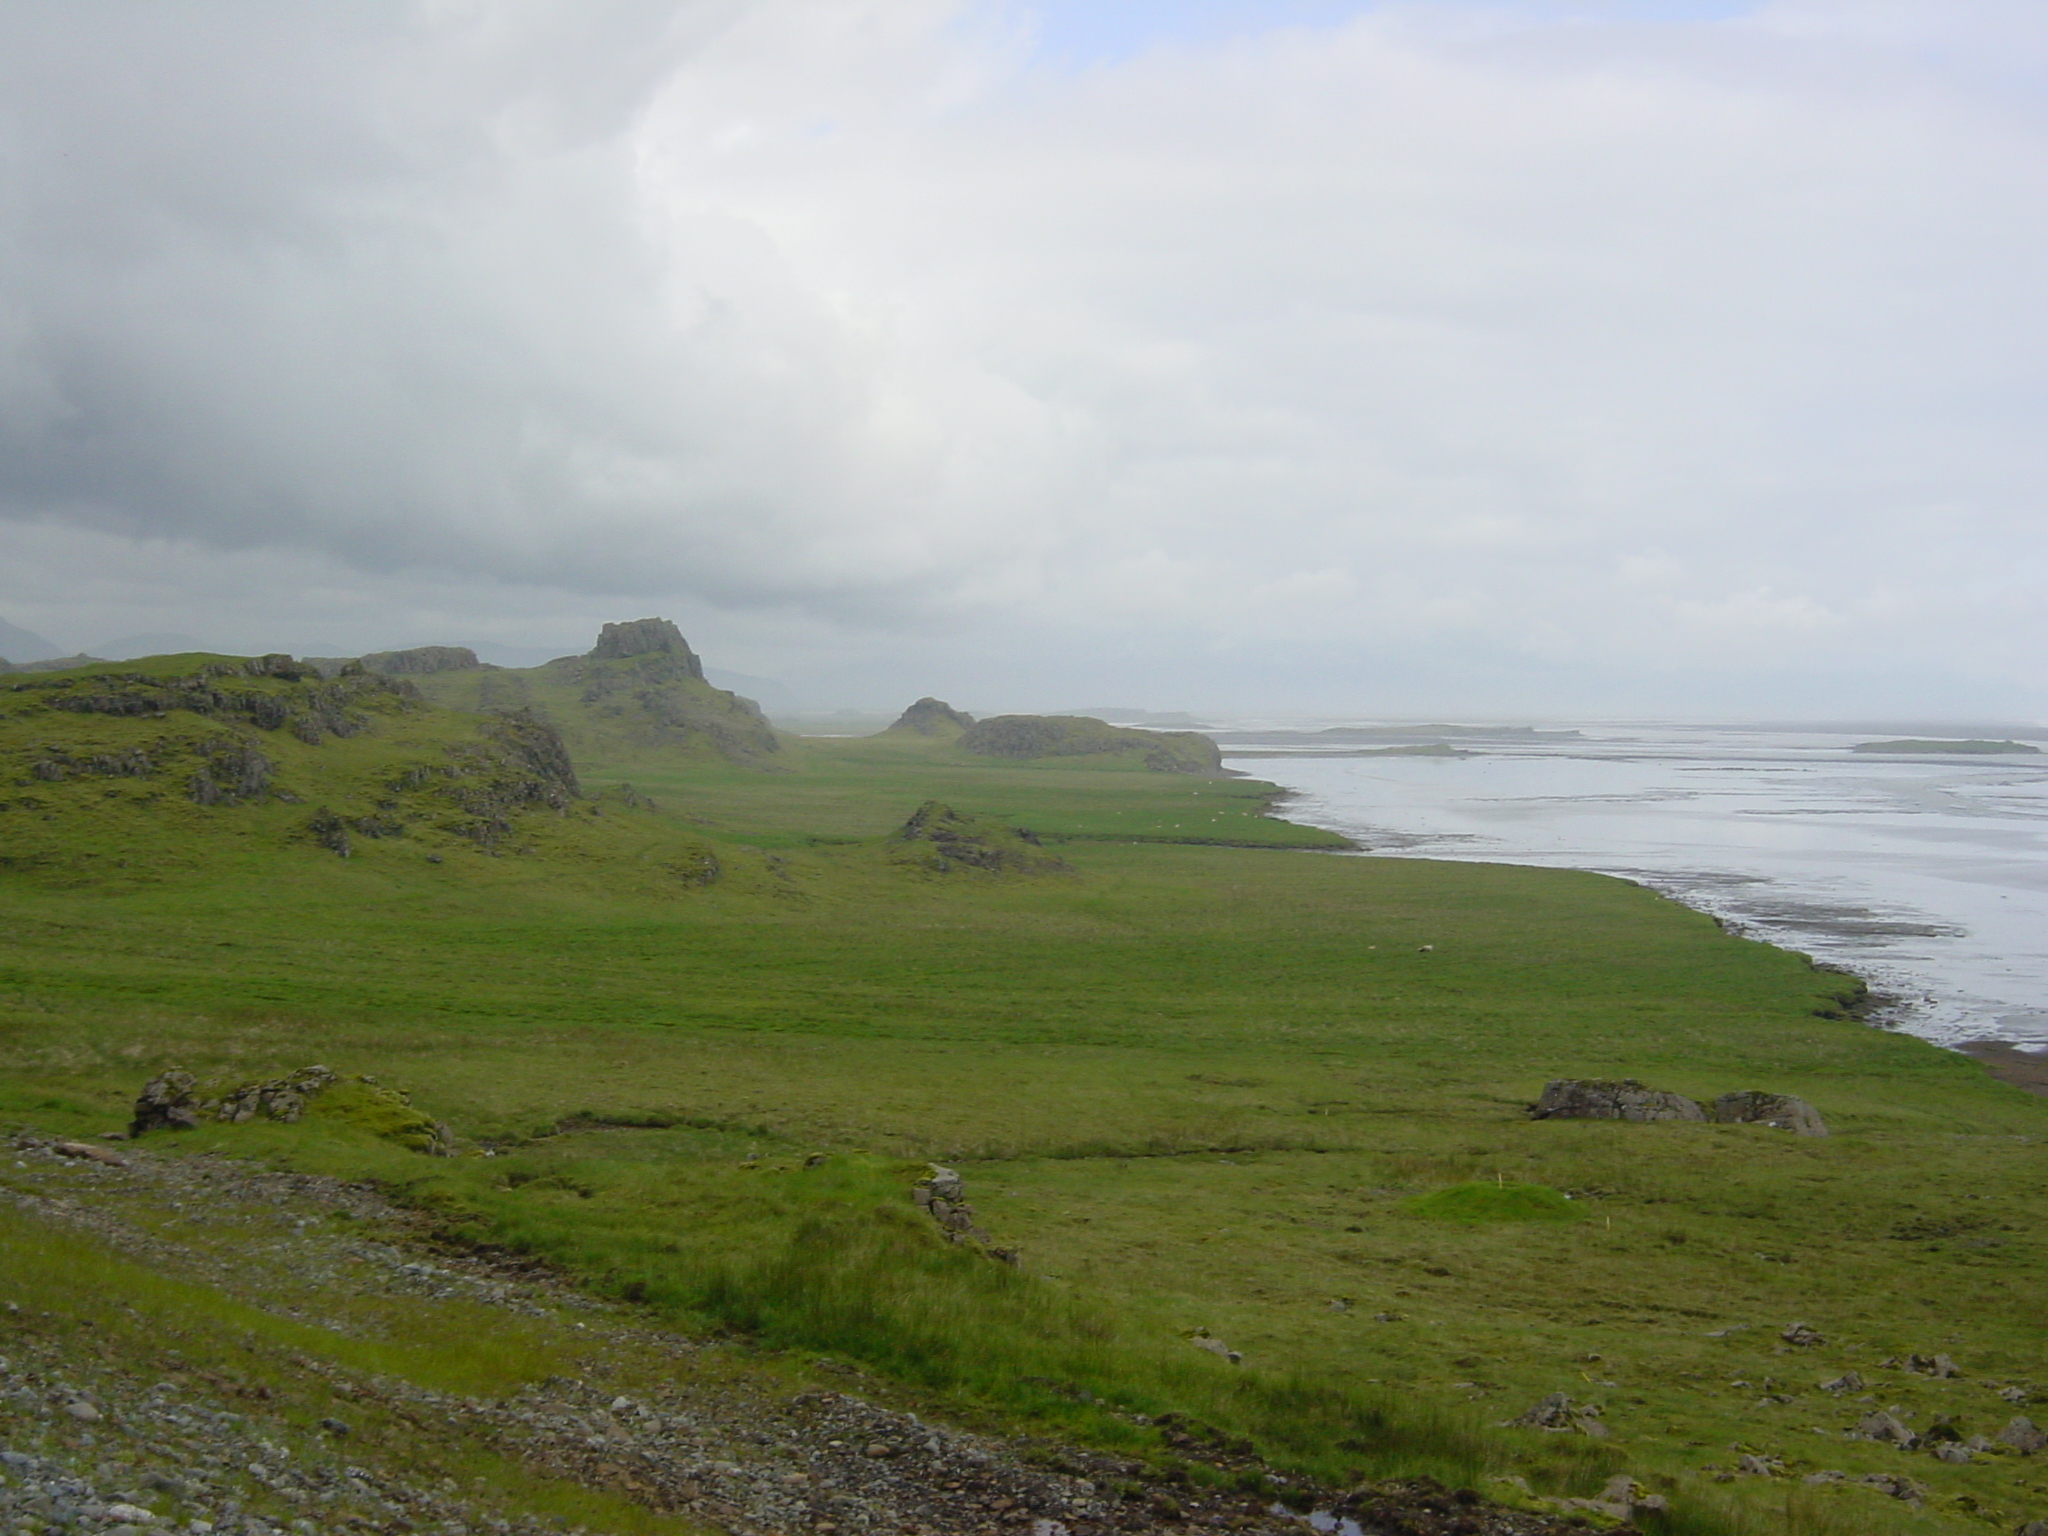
{"points": [[1924, 876]]}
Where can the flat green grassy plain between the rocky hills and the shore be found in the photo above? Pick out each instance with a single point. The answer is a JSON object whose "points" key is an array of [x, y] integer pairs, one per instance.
{"points": [[1191, 1082]]}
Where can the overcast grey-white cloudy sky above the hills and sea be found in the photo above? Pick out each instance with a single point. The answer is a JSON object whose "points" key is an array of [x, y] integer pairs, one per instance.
{"points": [[1490, 359]]}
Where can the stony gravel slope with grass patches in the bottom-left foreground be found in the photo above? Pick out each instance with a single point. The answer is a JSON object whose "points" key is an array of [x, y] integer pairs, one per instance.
{"points": [[110, 1428]]}
